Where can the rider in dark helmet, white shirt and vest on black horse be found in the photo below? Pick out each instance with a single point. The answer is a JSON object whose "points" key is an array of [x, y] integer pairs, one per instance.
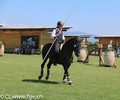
{"points": [[57, 33]]}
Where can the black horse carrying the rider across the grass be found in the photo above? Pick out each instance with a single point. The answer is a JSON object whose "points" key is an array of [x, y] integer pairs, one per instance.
{"points": [[65, 57]]}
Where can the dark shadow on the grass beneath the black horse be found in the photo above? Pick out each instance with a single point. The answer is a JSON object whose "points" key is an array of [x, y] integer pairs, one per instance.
{"points": [[40, 81]]}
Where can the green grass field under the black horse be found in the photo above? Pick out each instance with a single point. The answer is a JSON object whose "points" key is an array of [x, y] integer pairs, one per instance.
{"points": [[19, 76]]}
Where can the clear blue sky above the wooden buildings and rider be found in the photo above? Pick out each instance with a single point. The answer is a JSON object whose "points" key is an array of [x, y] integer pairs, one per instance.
{"points": [[99, 17]]}
